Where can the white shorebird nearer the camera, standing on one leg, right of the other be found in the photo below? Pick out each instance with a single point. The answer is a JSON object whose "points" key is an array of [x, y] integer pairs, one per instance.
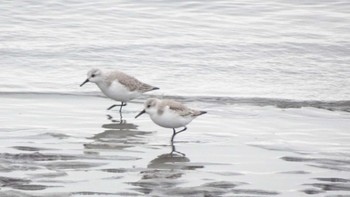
{"points": [[169, 114]]}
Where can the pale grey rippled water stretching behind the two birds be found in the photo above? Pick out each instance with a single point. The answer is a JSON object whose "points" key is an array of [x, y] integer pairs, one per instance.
{"points": [[275, 49]]}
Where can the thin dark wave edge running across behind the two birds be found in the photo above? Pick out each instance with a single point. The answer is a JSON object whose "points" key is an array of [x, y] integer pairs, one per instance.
{"points": [[337, 105]]}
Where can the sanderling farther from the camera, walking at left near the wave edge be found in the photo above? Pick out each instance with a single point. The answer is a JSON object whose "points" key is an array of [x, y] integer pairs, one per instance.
{"points": [[118, 85]]}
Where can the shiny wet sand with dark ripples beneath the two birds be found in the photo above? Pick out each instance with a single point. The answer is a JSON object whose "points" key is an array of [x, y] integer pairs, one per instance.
{"points": [[70, 145]]}
